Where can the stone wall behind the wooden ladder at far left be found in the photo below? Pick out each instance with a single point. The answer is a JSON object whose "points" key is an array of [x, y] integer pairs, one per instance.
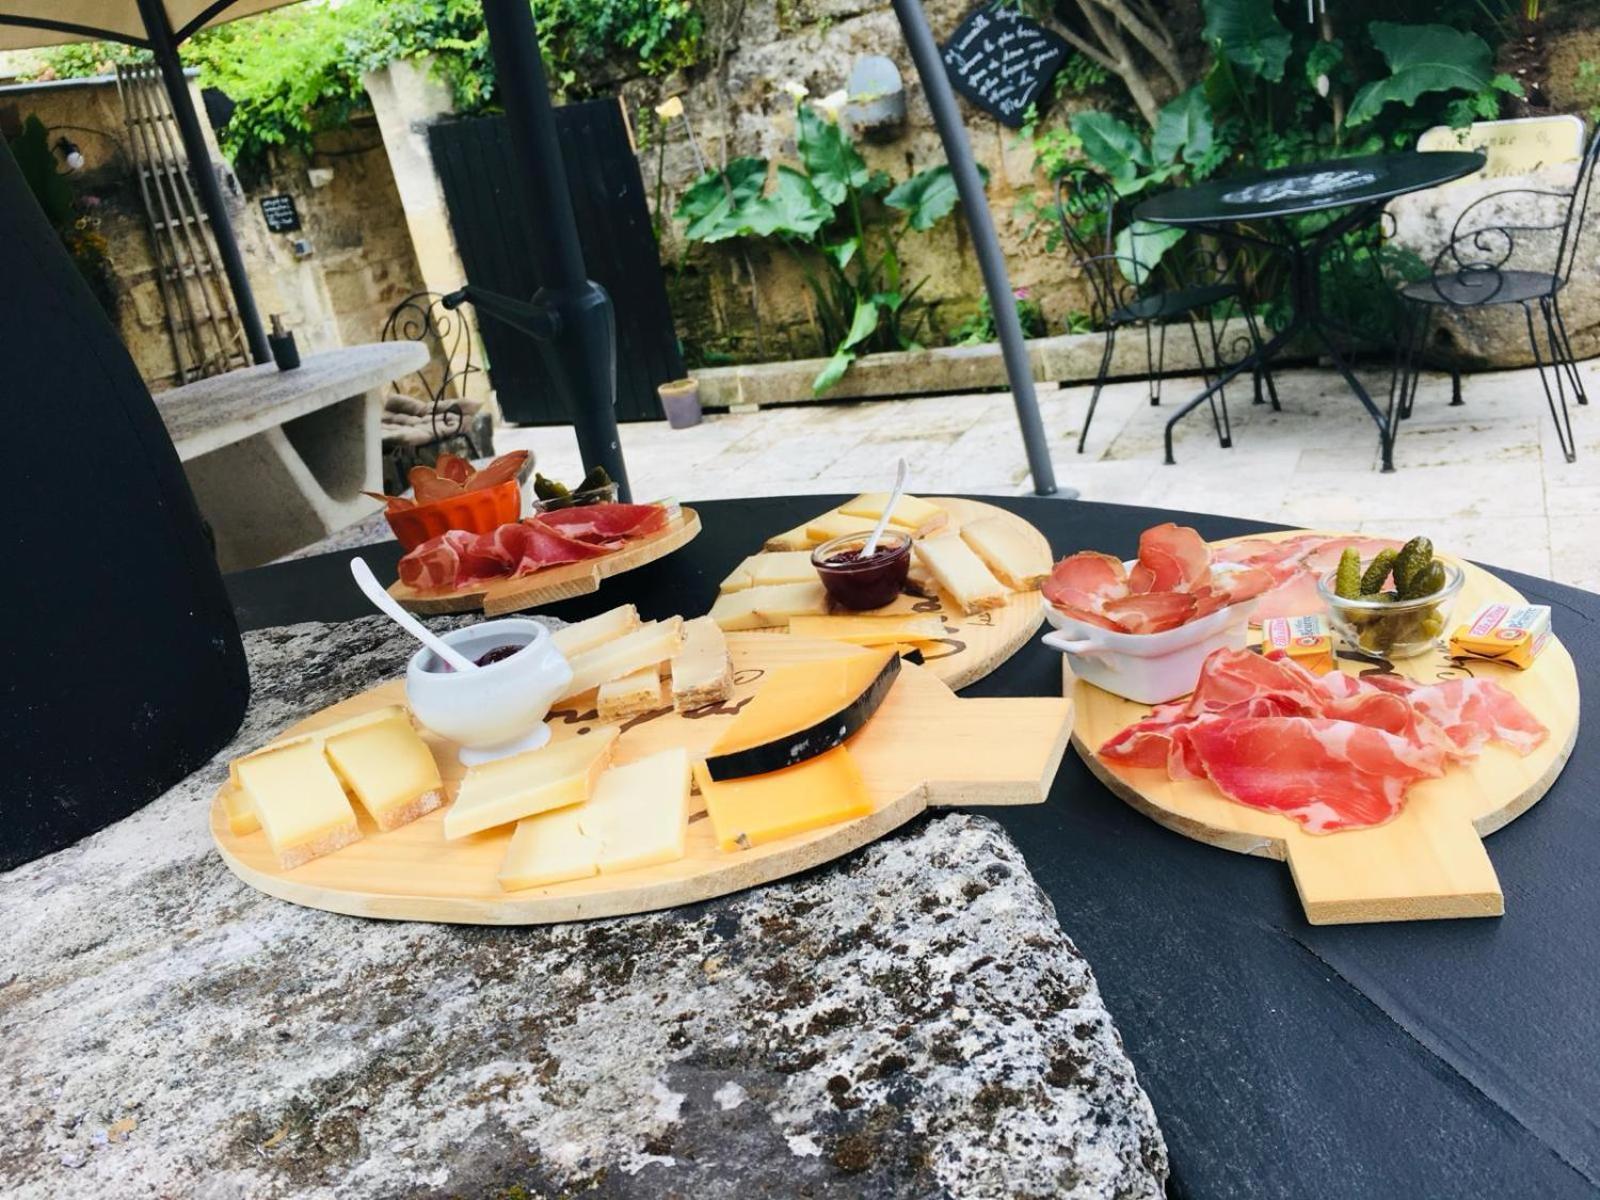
{"points": [[361, 262]]}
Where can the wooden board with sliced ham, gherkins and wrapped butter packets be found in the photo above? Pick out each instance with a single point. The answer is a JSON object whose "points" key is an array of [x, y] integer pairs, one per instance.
{"points": [[1374, 774]]}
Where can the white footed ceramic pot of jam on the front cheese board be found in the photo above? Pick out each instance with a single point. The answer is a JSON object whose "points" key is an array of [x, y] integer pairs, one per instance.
{"points": [[498, 710]]}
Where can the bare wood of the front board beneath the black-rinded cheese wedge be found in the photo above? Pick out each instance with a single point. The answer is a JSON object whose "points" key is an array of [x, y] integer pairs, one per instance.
{"points": [[924, 748]]}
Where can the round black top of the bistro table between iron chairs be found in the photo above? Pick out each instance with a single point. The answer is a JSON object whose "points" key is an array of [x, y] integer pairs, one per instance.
{"points": [[1308, 188]]}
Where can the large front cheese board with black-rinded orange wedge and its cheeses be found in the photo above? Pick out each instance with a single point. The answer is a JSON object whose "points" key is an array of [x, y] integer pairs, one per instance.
{"points": [[761, 758]]}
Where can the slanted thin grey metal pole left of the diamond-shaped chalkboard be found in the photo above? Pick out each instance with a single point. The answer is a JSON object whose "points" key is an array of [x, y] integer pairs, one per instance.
{"points": [[975, 206]]}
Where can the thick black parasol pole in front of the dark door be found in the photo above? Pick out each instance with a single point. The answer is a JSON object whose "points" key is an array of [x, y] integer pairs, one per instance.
{"points": [[583, 353]]}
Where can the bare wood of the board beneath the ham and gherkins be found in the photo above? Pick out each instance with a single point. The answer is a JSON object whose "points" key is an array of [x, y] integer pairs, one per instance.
{"points": [[1430, 862]]}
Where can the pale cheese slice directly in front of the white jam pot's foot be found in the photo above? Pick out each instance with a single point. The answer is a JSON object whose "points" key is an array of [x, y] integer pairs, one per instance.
{"points": [[510, 790]]}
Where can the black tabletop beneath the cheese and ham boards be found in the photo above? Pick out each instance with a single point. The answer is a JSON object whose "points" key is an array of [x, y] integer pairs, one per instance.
{"points": [[1414, 1060]]}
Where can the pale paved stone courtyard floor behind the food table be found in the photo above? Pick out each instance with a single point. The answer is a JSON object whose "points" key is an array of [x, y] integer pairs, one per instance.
{"points": [[1486, 481]]}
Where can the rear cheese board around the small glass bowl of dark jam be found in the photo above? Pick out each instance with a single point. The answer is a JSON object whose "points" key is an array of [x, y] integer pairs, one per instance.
{"points": [[969, 598]]}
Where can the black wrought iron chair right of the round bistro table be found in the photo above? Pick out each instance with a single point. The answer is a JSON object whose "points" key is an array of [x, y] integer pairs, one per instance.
{"points": [[1484, 266]]}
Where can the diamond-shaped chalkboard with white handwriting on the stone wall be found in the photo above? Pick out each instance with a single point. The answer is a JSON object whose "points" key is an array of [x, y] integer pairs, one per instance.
{"points": [[1002, 62]]}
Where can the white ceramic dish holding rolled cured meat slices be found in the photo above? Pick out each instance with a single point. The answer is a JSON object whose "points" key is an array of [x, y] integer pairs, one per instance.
{"points": [[1146, 668]]}
